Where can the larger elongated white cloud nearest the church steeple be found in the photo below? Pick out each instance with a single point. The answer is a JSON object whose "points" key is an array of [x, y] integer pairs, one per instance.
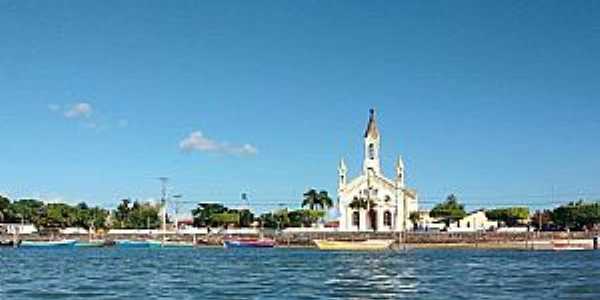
{"points": [[196, 141]]}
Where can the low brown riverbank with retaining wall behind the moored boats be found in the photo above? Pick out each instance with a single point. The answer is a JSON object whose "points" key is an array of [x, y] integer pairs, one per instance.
{"points": [[412, 240]]}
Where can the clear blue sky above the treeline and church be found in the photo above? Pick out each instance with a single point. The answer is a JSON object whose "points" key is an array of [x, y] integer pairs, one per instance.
{"points": [[495, 101]]}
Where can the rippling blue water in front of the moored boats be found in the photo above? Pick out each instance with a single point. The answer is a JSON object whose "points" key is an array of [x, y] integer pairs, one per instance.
{"points": [[114, 273]]}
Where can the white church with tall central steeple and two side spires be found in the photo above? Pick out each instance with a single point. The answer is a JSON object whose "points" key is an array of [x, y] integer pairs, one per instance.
{"points": [[371, 201]]}
